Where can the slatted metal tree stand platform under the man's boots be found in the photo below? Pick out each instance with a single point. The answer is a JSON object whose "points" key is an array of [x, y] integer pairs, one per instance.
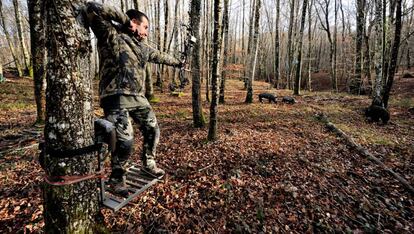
{"points": [[137, 182]]}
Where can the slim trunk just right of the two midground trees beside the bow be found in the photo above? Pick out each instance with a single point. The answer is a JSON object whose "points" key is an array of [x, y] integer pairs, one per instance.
{"points": [[226, 49]]}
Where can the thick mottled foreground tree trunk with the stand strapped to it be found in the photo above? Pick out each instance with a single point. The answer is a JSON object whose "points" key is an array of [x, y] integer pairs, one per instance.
{"points": [[69, 113]]}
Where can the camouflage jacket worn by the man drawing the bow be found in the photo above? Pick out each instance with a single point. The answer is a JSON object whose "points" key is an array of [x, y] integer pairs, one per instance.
{"points": [[122, 57]]}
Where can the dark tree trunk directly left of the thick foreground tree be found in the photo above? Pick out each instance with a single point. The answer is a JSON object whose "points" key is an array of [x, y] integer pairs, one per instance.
{"points": [[37, 35]]}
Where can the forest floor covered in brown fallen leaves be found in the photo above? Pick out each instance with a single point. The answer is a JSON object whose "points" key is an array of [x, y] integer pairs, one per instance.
{"points": [[274, 168]]}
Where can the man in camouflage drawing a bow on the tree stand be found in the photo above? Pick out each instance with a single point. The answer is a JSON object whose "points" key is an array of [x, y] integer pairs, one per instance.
{"points": [[123, 56]]}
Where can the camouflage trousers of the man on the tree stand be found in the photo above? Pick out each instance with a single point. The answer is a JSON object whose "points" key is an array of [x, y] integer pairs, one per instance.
{"points": [[145, 118]]}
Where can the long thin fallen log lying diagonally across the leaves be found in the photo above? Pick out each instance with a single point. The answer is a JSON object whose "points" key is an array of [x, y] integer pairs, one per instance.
{"points": [[361, 150]]}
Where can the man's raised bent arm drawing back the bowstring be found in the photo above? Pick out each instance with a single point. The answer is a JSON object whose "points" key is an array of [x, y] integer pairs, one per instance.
{"points": [[100, 17]]}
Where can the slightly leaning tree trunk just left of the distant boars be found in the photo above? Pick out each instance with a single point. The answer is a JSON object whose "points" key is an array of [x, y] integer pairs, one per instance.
{"points": [[254, 43]]}
